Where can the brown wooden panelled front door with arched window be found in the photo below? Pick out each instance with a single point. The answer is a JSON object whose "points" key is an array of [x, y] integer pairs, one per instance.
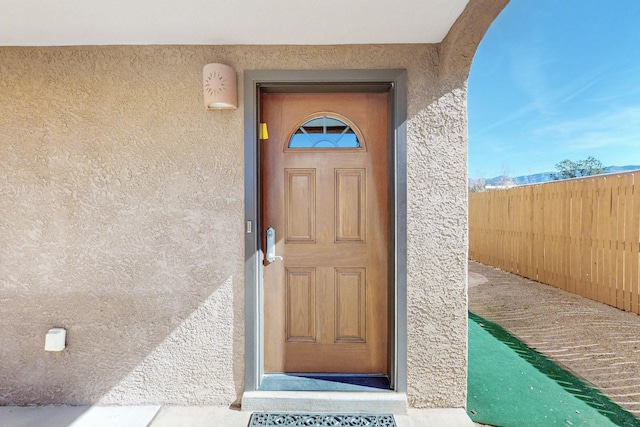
{"points": [[324, 194]]}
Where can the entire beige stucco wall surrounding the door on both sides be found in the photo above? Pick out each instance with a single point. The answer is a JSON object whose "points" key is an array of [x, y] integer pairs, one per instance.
{"points": [[121, 219]]}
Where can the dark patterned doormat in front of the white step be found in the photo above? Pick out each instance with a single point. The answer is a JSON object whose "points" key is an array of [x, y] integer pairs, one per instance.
{"points": [[267, 419]]}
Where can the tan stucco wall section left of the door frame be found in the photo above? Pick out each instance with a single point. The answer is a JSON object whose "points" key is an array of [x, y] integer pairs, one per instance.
{"points": [[120, 220]]}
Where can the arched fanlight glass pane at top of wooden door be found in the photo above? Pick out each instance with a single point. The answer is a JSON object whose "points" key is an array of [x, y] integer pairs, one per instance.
{"points": [[324, 132]]}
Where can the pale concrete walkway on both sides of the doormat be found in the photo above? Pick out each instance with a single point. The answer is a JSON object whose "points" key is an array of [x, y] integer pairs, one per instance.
{"points": [[183, 416]]}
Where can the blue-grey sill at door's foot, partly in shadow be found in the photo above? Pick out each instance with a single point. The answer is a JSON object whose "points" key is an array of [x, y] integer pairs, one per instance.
{"points": [[326, 382]]}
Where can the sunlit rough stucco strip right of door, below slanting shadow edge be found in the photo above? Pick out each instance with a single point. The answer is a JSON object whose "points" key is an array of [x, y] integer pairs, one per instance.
{"points": [[437, 252]]}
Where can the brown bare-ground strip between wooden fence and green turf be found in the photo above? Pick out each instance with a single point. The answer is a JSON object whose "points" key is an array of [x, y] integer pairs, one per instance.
{"points": [[598, 343]]}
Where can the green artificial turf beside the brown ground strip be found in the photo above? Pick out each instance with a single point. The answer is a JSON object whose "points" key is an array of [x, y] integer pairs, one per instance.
{"points": [[510, 384]]}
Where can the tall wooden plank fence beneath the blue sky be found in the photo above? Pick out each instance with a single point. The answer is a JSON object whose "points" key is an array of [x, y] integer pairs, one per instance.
{"points": [[580, 235]]}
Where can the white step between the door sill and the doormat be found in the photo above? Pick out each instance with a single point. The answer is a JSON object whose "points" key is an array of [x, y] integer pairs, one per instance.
{"points": [[325, 402]]}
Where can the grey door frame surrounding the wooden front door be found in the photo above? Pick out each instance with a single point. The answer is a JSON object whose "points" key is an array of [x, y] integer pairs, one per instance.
{"points": [[291, 81]]}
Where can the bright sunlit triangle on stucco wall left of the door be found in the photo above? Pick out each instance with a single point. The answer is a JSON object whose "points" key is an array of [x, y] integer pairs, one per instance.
{"points": [[197, 349]]}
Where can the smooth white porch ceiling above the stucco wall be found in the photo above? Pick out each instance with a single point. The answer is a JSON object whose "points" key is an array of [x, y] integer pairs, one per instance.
{"points": [[225, 22]]}
